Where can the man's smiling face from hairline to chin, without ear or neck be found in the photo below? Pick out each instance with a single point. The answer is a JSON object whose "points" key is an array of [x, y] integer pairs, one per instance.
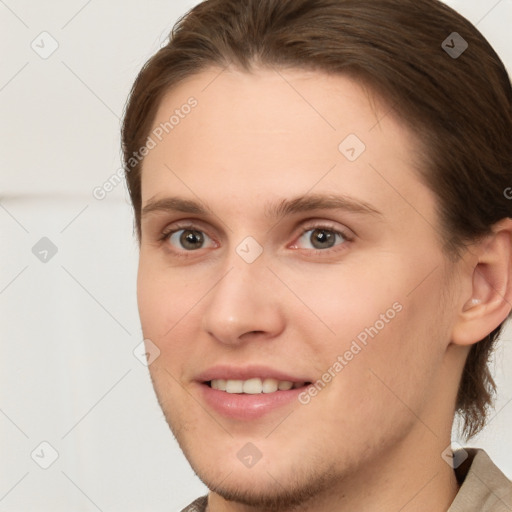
{"points": [[288, 243]]}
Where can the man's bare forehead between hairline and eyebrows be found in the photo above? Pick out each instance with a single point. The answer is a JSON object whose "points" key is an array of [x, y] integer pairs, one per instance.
{"points": [[279, 132]]}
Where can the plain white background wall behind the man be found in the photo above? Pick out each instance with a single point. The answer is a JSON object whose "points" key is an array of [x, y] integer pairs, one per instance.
{"points": [[68, 327]]}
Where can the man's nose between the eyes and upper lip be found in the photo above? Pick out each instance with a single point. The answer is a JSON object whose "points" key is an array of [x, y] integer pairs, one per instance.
{"points": [[244, 305]]}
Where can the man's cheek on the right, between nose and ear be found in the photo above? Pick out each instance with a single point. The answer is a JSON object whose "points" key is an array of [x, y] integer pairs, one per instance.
{"points": [[372, 328]]}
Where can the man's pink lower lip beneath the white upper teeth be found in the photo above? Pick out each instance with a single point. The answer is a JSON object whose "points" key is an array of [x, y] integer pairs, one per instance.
{"points": [[247, 407]]}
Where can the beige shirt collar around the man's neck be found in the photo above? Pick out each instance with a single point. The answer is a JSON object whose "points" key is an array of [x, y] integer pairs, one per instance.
{"points": [[484, 487]]}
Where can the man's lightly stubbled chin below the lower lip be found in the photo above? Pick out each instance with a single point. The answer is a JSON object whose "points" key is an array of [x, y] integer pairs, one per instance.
{"points": [[275, 482]]}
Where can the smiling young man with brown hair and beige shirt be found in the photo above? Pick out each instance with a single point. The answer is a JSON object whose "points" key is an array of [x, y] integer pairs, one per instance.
{"points": [[325, 250]]}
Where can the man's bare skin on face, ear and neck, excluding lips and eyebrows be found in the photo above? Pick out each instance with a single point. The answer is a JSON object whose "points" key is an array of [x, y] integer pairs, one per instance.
{"points": [[372, 438]]}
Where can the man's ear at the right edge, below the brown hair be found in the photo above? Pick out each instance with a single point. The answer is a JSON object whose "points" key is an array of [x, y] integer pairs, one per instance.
{"points": [[490, 298]]}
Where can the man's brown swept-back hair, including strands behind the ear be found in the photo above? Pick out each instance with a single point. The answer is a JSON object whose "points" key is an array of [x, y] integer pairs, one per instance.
{"points": [[460, 109]]}
